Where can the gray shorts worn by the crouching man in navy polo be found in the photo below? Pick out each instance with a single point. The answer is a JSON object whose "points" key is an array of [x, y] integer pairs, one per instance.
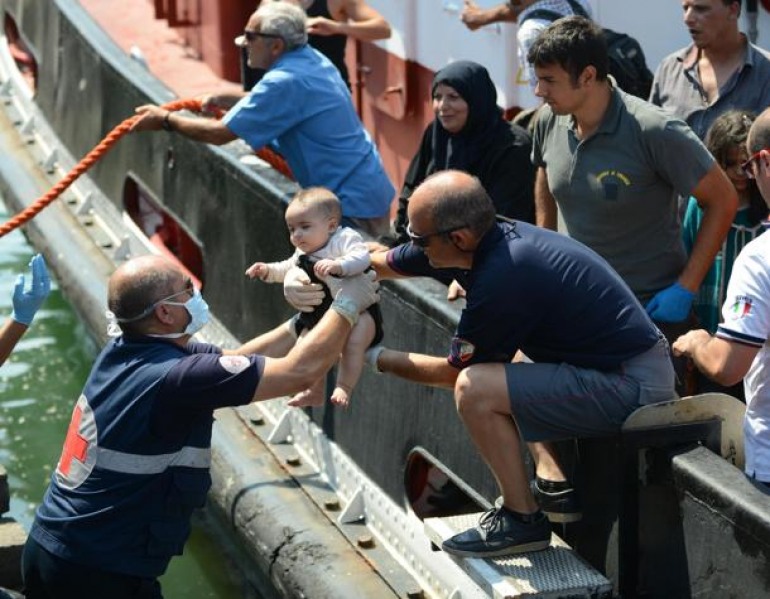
{"points": [[560, 401]]}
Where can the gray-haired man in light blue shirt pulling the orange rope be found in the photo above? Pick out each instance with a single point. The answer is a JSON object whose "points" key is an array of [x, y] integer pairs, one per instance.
{"points": [[302, 108]]}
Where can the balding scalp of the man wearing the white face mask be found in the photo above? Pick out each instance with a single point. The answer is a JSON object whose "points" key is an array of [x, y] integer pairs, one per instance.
{"points": [[138, 284]]}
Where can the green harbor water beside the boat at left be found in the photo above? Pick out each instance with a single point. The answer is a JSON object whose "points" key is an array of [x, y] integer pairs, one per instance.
{"points": [[38, 386]]}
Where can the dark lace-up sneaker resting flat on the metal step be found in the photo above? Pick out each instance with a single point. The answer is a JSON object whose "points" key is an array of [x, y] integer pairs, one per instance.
{"points": [[499, 533]]}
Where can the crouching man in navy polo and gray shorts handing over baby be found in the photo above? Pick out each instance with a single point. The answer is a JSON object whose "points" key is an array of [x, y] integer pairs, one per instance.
{"points": [[597, 355]]}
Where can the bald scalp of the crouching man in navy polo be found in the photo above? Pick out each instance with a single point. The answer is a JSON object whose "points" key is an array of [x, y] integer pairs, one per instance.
{"points": [[455, 199]]}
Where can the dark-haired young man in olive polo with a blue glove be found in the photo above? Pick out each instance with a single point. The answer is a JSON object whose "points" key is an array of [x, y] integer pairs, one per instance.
{"points": [[614, 165]]}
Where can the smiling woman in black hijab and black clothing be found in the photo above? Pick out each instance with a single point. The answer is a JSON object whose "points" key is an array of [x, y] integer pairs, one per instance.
{"points": [[470, 134]]}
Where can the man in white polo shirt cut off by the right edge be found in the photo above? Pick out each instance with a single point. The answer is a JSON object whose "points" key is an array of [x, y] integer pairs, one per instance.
{"points": [[740, 349]]}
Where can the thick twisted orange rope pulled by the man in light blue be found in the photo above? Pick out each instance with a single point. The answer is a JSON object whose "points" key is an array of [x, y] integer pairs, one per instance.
{"points": [[272, 158]]}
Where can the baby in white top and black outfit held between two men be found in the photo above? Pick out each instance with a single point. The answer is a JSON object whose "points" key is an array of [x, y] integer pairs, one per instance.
{"points": [[325, 251]]}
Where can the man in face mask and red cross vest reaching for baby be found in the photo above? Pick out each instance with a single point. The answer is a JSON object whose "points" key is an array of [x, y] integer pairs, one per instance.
{"points": [[136, 459]]}
